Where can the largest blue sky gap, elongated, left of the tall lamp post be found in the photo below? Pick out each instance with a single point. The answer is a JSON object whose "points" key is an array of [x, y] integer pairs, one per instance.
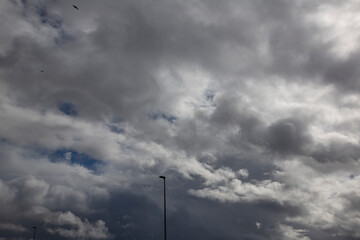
{"points": [[76, 158]]}
